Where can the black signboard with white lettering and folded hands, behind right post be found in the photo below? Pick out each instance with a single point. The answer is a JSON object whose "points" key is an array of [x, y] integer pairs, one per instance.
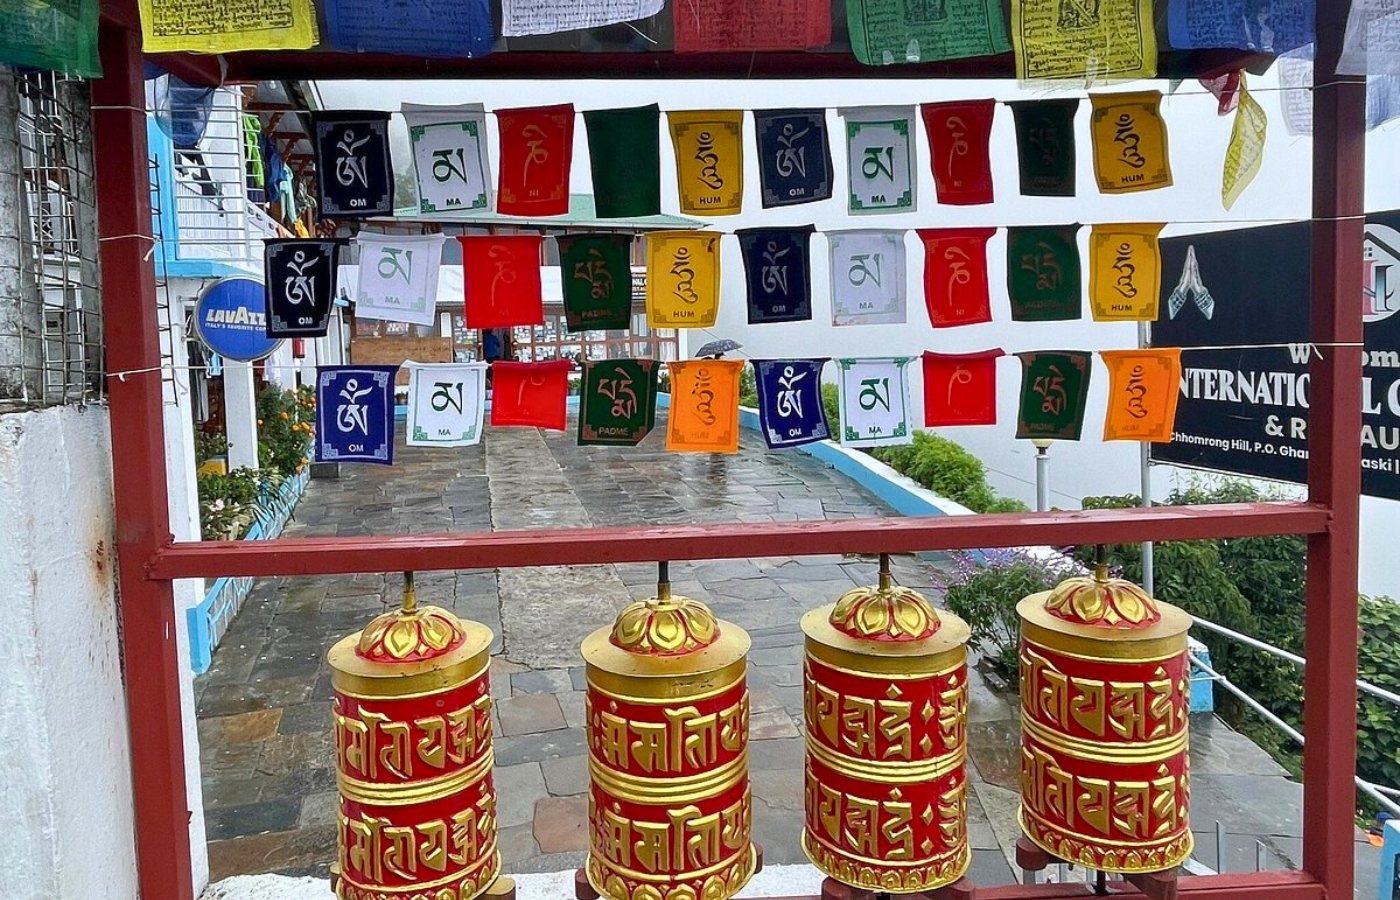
{"points": [[1245, 411]]}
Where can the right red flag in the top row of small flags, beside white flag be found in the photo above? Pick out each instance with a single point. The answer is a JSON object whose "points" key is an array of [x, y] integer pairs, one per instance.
{"points": [[960, 138]]}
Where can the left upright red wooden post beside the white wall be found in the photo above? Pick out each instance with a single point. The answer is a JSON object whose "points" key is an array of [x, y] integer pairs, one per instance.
{"points": [[131, 335]]}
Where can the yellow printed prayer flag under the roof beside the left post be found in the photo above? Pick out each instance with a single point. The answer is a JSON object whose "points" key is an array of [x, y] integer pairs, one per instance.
{"points": [[174, 27]]}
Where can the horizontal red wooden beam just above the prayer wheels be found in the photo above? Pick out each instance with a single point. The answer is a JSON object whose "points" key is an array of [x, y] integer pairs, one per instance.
{"points": [[582, 547]]}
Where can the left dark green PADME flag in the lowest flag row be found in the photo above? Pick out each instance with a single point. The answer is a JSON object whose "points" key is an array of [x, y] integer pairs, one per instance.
{"points": [[618, 402]]}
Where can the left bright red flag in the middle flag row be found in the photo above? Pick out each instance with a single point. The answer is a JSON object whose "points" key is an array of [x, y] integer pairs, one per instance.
{"points": [[500, 278]]}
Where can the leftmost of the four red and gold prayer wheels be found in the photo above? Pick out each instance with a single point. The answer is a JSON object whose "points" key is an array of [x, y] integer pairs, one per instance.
{"points": [[414, 759]]}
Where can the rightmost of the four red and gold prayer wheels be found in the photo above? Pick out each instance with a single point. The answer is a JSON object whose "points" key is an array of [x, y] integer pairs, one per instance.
{"points": [[1105, 703]]}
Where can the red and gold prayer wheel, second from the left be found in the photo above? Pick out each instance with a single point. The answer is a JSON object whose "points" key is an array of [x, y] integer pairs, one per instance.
{"points": [[668, 755]]}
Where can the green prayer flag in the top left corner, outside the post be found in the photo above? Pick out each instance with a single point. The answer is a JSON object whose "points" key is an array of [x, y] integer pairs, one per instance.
{"points": [[58, 36]]}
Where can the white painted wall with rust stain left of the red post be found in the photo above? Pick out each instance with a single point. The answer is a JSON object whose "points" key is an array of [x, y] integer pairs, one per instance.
{"points": [[65, 766]]}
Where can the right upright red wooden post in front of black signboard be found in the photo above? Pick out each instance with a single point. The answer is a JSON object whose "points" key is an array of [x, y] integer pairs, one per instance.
{"points": [[1335, 463]]}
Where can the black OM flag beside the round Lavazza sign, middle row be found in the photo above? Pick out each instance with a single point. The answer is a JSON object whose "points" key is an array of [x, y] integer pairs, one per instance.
{"points": [[300, 282]]}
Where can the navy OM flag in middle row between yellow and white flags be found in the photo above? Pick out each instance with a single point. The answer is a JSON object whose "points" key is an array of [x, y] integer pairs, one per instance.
{"points": [[776, 262]]}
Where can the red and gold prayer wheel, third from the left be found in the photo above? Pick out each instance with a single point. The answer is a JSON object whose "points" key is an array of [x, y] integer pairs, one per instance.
{"points": [[887, 741]]}
